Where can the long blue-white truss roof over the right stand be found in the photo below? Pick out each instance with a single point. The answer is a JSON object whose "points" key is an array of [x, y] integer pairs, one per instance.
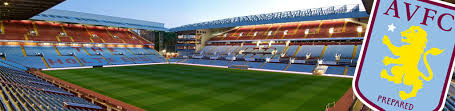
{"points": [[333, 12]]}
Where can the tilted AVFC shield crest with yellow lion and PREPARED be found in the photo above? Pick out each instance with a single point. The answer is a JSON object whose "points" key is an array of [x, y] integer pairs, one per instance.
{"points": [[407, 56]]}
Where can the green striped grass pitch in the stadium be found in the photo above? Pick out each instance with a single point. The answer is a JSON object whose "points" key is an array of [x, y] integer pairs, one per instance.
{"points": [[192, 88]]}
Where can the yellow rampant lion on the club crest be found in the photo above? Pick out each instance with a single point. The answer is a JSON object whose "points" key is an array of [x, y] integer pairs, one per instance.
{"points": [[409, 58]]}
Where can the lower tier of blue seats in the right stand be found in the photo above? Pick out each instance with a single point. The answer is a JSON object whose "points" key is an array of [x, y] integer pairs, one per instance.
{"points": [[328, 53]]}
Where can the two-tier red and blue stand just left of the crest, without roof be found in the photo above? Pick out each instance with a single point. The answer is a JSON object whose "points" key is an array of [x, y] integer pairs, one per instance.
{"points": [[294, 46]]}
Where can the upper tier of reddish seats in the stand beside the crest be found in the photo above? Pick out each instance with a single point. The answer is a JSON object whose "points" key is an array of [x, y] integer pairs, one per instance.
{"points": [[316, 29]]}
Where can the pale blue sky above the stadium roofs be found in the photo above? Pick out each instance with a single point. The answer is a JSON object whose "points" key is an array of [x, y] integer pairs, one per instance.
{"points": [[175, 13]]}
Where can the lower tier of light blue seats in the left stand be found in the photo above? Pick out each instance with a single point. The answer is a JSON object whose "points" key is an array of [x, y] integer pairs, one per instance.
{"points": [[42, 57]]}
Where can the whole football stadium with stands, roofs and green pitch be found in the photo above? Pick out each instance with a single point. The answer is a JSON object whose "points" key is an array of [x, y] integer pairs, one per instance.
{"points": [[297, 60]]}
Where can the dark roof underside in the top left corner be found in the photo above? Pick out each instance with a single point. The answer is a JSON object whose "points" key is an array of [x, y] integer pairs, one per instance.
{"points": [[24, 9]]}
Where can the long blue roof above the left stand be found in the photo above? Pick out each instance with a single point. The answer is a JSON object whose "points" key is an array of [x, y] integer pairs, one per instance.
{"points": [[94, 19]]}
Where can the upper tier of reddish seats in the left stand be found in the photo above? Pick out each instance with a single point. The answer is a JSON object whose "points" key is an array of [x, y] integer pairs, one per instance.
{"points": [[58, 32]]}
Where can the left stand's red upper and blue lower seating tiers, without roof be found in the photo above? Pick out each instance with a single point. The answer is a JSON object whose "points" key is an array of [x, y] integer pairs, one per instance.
{"points": [[59, 45]]}
